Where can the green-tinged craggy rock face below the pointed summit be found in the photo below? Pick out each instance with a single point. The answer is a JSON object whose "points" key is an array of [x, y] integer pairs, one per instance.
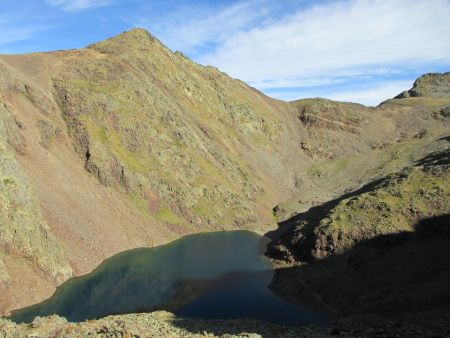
{"points": [[152, 122]]}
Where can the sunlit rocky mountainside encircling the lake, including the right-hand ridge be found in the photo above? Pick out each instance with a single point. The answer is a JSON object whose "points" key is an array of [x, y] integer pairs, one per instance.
{"points": [[126, 144]]}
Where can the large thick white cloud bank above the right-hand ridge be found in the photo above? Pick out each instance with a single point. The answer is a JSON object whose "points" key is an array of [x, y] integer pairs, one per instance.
{"points": [[339, 36]]}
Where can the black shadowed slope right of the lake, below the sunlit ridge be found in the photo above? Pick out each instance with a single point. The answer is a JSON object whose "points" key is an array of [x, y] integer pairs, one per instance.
{"points": [[394, 284]]}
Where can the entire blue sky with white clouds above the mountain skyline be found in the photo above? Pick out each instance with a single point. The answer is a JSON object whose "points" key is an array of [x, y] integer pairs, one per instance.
{"points": [[352, 50]]}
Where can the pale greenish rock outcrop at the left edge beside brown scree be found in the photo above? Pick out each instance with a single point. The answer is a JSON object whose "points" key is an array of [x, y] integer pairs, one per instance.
{"points": [[23, 231]]}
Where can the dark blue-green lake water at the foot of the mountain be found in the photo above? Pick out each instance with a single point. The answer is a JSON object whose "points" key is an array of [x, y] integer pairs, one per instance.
{"points": [[209, 275]]}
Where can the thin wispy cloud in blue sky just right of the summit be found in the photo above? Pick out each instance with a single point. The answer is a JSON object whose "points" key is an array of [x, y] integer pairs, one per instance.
{"points": [[202, 27]]}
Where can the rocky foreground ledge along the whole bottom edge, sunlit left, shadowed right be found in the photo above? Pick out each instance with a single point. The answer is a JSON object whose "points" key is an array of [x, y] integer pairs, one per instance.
{"points": [[165, 324]]}
